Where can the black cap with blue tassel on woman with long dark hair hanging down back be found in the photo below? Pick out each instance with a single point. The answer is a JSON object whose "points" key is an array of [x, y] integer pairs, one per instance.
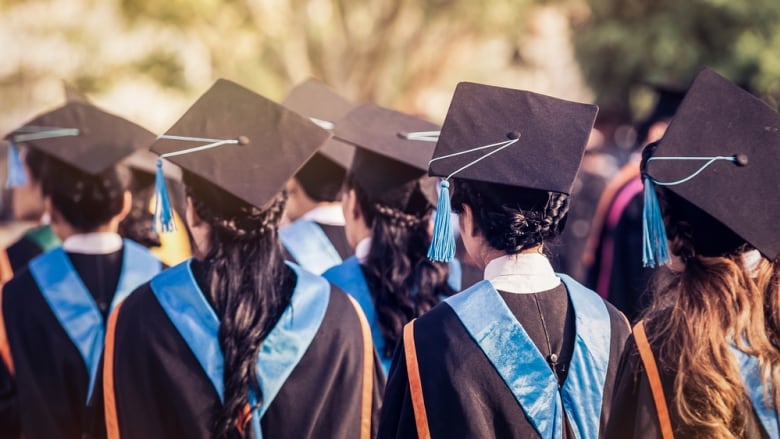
{"points": [[243, 143]]}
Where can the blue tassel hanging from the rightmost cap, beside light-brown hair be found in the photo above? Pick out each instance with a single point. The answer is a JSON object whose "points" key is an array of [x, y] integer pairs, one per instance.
{"points": [[655, 249]]}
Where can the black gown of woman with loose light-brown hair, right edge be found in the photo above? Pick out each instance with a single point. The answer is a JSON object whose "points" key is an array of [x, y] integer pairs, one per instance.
{"points": [[633, 410]]}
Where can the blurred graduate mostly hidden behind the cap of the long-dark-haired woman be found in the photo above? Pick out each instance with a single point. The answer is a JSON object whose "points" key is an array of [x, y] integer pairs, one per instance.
{"points": [[315, 238]]}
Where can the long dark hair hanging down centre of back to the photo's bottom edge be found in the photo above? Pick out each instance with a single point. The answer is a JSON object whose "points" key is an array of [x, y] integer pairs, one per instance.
{"points": [[246, 277]]}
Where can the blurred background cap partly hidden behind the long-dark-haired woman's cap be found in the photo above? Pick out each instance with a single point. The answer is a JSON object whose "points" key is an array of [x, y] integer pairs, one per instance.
{"points": [[324, 173]]}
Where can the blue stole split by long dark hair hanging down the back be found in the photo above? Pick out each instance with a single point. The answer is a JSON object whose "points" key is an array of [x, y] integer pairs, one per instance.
{"points": [[186, 305]]}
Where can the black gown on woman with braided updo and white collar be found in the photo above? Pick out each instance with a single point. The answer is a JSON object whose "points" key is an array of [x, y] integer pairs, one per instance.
{"points": [[464, 395]]}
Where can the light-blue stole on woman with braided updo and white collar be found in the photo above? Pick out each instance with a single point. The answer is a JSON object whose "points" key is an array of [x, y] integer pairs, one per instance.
{"points": [[525, 371]]}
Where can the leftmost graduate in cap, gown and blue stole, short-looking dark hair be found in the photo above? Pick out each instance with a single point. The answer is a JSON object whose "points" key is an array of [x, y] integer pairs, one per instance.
{"points": [[52, 323]]}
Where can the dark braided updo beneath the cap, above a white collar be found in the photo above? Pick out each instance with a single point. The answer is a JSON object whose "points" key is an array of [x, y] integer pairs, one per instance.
{"points": [[511, 219]]}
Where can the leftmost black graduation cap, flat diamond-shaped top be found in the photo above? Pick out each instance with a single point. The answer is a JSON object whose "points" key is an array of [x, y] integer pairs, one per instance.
{"points": [[83, 136]]}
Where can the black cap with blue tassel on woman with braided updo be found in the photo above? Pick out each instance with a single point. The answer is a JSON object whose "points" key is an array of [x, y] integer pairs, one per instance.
{"points": [[508, 137]]}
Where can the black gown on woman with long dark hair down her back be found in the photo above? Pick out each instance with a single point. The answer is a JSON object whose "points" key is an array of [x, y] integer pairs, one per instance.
{"points": [[161, 391]]}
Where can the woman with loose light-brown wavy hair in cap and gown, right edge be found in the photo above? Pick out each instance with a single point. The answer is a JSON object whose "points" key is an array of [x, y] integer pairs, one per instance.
{"points": [[704, 361]]}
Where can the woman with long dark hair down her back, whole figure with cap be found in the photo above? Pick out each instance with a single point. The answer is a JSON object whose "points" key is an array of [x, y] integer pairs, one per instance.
{"points": [[236, 342]]}
